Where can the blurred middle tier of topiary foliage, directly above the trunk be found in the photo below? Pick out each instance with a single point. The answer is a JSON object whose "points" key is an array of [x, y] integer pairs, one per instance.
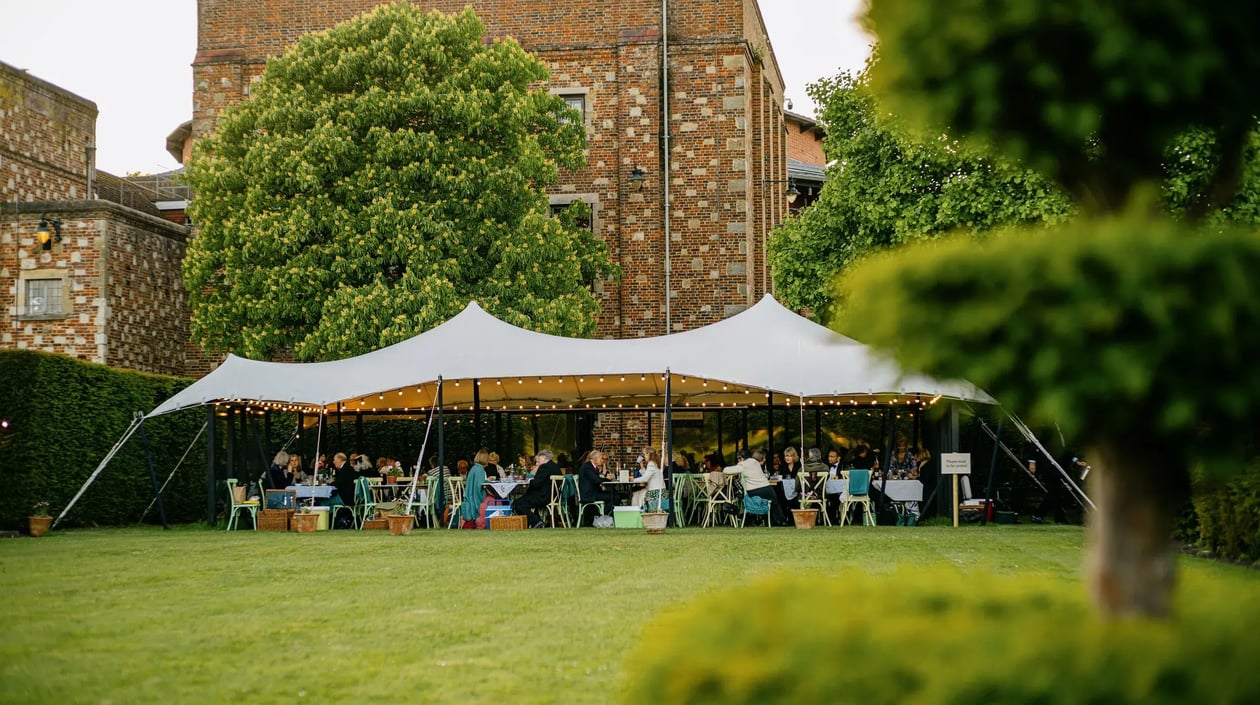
{"points": [[1128, 328]]}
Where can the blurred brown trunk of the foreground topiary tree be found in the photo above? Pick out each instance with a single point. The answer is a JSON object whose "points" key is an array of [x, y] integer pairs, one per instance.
{"points": [[1131, 552]]}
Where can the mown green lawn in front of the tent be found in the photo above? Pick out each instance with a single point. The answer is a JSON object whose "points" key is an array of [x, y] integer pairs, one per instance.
{"points": [[196, 616]]}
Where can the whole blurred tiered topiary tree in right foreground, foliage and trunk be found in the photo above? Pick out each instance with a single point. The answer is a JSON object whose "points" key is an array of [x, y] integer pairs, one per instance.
{"points": [[1132, 328]]}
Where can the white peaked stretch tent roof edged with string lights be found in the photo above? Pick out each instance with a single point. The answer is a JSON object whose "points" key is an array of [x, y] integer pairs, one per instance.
{"points": [[733, 363]]}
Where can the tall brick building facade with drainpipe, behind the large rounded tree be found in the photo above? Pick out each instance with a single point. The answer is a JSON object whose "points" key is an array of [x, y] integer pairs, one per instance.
{"points": [[728, 138]]}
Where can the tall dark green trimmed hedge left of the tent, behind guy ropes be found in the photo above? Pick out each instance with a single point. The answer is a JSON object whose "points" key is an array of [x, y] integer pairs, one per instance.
{"points": [[65, 416]]}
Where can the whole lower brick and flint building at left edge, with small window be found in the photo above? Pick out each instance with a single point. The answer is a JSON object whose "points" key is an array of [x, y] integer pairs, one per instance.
{"points": [[110, 290]]}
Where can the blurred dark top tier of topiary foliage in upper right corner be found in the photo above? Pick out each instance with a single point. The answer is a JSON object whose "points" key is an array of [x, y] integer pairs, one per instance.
{"points": [[1092, 93]]}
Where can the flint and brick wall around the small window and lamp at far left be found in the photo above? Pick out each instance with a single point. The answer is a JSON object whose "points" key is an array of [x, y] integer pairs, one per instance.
{"points": [[123, 302]]}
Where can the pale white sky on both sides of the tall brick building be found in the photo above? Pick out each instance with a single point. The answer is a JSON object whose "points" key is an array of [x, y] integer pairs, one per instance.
{"points": [[133, 59]]}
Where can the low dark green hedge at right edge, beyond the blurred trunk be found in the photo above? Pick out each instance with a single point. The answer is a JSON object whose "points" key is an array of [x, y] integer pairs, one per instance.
{"points": [[1229, 516]]}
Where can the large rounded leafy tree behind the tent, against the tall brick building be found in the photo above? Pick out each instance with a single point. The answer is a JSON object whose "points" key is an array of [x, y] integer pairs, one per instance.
{"points": [[384, 174]]}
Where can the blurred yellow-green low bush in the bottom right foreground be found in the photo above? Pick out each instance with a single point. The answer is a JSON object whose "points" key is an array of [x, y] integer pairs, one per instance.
{"points": [[933, 636]]}
